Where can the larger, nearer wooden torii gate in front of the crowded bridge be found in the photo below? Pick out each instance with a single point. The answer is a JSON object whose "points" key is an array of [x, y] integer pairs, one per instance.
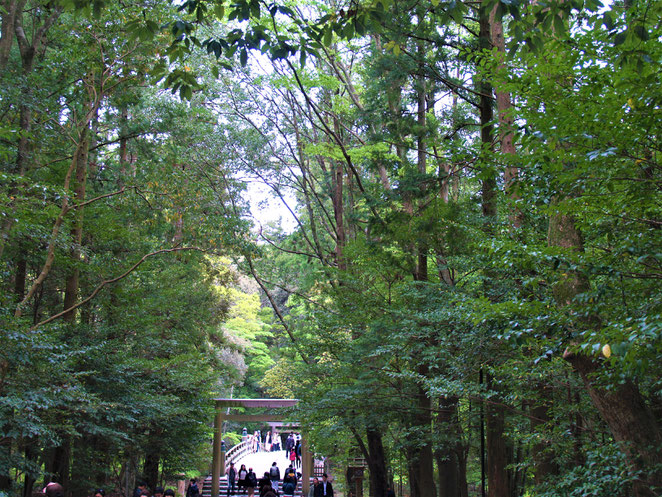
{"points": [[218, 462]]}
